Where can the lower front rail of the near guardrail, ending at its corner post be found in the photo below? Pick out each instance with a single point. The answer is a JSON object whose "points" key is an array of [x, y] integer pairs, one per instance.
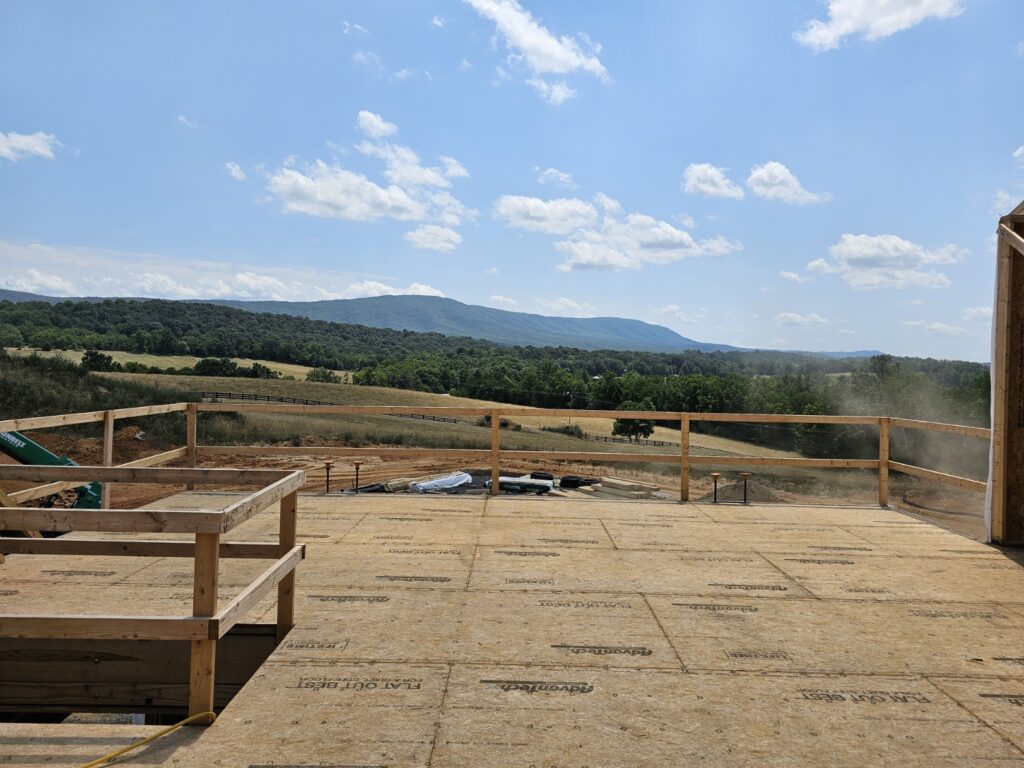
{"points": [[107, 628]]}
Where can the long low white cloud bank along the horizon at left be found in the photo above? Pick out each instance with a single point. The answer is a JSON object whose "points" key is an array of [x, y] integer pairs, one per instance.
{"points": [[89, 272]]}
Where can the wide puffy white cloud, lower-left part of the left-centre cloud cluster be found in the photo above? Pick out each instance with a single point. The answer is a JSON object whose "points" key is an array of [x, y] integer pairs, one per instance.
{"points": [[333, 192]]}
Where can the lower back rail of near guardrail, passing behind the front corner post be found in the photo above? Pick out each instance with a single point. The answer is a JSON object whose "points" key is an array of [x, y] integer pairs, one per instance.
{"points": [[132, 548]]}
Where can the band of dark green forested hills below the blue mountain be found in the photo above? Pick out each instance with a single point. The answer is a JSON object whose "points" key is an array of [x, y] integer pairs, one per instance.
{"points": [[552, 377]]}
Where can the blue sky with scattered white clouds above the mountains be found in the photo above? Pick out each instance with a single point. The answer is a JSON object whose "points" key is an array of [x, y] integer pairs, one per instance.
{"points": [[813, 176]]}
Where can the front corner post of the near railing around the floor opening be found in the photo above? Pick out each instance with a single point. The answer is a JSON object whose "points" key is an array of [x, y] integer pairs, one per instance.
{"points": [[204, 653]]}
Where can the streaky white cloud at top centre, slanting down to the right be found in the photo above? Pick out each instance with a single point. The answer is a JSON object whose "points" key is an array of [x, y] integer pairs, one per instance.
{"points": [[534, 48]]}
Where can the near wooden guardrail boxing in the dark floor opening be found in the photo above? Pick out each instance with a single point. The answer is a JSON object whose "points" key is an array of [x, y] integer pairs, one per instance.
{"points": [[207, 625]]}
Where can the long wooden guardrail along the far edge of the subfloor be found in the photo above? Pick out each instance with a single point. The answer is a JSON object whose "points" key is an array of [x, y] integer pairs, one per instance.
{"points": [[684, 457]]}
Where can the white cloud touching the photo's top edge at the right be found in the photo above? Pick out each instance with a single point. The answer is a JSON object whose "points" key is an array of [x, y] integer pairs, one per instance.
{"points": [[873, 20]]}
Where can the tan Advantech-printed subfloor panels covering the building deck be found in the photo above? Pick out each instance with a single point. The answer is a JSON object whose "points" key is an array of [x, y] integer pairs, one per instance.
{"points": [[576, 634]]}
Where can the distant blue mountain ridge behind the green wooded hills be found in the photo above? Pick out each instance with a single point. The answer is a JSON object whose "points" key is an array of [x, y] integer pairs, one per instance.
{"points": [[435, 315]]}
